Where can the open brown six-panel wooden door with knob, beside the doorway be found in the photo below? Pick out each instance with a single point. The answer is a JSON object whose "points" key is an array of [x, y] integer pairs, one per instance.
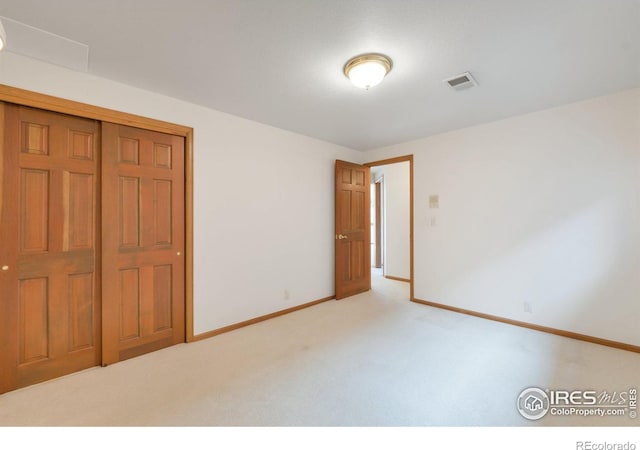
{"points": [[353, 229]]}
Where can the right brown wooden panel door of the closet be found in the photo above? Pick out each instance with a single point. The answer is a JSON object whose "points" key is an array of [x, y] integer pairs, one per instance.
{"points": [[143, 241]]}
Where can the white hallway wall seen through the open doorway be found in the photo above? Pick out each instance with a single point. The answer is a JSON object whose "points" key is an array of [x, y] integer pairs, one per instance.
{"points": [[396, 218]]}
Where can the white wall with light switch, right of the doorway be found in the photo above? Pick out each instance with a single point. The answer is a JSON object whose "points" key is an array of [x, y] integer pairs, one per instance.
{"points": [[542, 208]]}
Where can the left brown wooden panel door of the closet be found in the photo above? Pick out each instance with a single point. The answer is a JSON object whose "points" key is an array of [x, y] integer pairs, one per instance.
{"points": [[49, 277]]}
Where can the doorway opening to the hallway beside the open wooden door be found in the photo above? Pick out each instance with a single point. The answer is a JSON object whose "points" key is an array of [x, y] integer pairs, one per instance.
{"points": [[392, 220]]}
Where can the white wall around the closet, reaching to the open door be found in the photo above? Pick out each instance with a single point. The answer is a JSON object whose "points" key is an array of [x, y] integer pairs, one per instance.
{"points": [[263, 206]]}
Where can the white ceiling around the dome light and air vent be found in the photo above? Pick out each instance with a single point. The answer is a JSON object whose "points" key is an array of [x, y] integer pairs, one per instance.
{"points": [[280, 61]]}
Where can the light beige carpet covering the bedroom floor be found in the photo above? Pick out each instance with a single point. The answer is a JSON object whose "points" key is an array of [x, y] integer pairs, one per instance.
{"points": [[375, 359]]}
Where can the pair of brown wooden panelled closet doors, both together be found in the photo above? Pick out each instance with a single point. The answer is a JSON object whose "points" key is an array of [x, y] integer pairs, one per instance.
{"points": [[92, 244]]}
